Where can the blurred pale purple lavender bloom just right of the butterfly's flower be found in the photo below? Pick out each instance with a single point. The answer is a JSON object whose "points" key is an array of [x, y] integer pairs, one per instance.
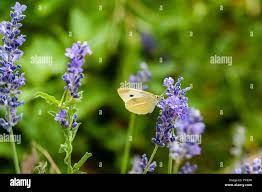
{"points": [[189, 126]]}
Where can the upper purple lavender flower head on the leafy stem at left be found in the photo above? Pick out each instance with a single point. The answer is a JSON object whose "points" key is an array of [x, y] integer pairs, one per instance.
{"points": [[74, 75]]}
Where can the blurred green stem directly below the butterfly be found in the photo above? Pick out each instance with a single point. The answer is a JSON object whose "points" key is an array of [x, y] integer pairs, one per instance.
{"points": [[130, 131]]}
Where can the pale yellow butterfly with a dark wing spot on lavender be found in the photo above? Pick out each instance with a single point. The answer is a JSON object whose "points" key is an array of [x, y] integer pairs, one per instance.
{"points": [[138, 101]]}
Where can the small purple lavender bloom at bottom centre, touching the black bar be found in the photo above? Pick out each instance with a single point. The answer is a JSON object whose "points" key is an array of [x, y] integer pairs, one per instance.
{"points": [[139, 165]]}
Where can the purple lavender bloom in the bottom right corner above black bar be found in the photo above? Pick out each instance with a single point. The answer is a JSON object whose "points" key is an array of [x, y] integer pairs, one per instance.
{"points": [[246, 168]]}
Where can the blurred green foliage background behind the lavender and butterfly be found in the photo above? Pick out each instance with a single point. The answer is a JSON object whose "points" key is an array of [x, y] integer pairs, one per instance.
{"points": [[122, 34]]}
